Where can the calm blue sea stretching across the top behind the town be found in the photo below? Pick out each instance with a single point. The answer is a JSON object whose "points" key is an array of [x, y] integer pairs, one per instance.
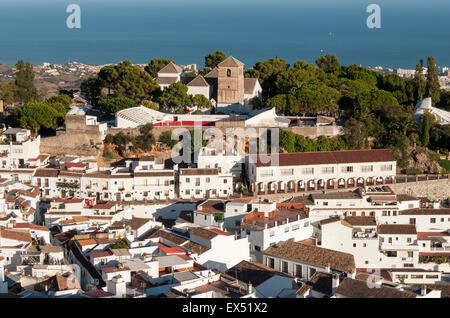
{"points": [[250, 30]]}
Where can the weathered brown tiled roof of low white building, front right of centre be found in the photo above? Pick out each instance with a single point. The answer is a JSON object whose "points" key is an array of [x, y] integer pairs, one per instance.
{"points": [[313, 255]]}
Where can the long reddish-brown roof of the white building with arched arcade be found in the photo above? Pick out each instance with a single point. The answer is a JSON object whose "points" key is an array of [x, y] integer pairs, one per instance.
{"points": [[331, 157]]}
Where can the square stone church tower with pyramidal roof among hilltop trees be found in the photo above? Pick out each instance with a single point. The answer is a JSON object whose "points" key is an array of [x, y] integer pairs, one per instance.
{"points": [[230, 82]]}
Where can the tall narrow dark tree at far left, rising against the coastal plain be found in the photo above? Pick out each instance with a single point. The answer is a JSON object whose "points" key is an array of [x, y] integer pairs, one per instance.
{"points": [[26, 91]]}
